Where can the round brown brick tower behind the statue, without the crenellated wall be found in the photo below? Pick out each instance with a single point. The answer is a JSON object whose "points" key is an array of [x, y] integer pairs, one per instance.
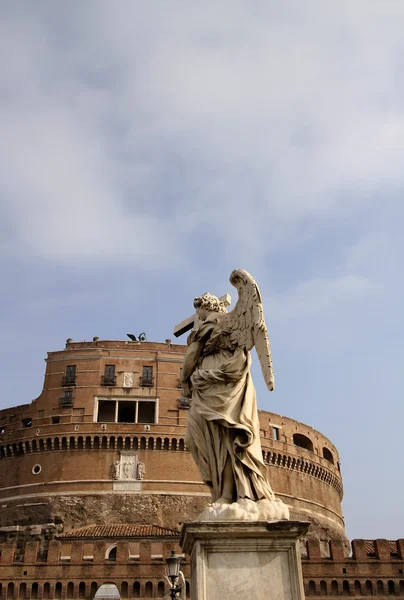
{"points": [[104, 443]]}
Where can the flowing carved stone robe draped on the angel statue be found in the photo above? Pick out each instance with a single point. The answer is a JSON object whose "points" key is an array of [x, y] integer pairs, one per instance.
{"points": [[223, 419]]}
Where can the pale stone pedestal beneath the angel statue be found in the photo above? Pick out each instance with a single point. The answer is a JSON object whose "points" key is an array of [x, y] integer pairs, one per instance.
{"points": [[244, 560]]}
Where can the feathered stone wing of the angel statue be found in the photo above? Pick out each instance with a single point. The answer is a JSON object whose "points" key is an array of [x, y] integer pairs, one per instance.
{"points": [[246, 322]]}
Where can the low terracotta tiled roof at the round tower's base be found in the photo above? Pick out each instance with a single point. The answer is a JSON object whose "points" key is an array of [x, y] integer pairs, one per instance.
{"points": [[120, 530]]}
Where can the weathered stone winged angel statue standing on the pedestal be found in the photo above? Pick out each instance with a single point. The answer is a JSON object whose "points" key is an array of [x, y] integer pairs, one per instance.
{"points": [[223, 428]]}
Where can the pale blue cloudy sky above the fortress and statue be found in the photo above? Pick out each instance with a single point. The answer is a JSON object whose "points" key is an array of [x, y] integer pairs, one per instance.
{"points": [[148, 149]]}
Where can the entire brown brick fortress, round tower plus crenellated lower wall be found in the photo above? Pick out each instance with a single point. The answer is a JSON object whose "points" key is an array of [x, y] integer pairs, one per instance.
{"points": [[95, 482]]}
